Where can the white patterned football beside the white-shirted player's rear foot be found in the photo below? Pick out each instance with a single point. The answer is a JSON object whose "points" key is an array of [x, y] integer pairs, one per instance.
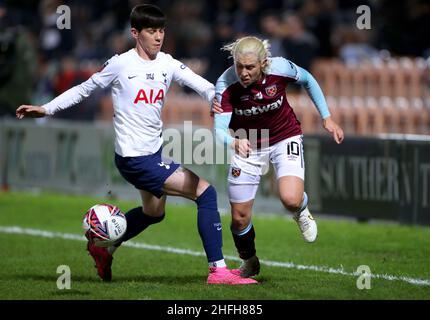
{"points": [[104, 224]]}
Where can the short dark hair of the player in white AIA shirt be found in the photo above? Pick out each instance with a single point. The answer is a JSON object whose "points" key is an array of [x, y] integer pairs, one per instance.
{"points": [[147, 16]]}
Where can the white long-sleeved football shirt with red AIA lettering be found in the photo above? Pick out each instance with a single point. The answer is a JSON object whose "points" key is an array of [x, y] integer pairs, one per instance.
{"points": [[139, 89]]}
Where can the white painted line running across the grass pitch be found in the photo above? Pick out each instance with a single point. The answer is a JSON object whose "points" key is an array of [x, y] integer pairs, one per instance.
{"points": [[140, 245]]}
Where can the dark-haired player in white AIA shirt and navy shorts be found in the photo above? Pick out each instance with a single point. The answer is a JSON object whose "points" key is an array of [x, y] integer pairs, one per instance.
{"points": [[139, 79]]}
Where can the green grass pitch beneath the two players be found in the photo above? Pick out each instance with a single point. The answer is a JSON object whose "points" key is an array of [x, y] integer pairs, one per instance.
{"points": [[28, 264]]}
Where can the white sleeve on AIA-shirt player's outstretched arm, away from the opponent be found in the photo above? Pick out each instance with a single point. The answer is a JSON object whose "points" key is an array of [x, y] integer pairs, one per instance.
{"points": [[101, 79]]}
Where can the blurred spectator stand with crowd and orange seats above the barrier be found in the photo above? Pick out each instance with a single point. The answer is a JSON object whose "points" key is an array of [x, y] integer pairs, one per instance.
{"points": [[384, 65]]}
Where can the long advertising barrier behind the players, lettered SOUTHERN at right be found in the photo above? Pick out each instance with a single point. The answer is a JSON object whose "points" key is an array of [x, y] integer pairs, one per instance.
{"points": [[385, 177]]}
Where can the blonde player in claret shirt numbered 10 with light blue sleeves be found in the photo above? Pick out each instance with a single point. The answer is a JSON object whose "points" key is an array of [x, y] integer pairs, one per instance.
{"points": [[252, 95]]}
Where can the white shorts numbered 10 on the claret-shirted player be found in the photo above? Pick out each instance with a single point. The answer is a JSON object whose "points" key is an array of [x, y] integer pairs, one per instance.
{"points": [[245, 173]]}
